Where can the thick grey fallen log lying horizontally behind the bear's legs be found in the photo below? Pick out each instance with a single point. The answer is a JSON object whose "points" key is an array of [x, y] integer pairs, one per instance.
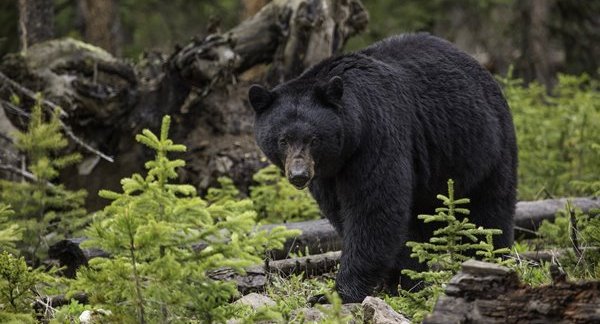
{"points": [[319, 236]]}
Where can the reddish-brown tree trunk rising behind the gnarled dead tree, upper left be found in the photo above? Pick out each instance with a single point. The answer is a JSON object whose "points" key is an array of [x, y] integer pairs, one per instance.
{"points": [[102, 24]]}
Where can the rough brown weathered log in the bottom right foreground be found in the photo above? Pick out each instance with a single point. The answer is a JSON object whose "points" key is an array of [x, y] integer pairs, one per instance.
{"points": [[488, 293]]}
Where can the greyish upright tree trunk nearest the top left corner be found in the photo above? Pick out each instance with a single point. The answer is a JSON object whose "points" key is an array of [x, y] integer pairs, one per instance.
{"points": [[36, 21]]}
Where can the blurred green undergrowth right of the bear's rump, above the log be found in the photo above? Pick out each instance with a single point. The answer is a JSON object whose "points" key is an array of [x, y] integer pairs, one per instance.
{"points": [[558, 135]]}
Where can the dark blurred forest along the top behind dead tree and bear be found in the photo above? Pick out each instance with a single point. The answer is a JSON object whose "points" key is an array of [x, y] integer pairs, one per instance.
{"points": [[538, 37]]}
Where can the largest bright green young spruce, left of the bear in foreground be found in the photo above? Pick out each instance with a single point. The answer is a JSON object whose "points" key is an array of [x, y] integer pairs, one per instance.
{"points": [[156, 272]]}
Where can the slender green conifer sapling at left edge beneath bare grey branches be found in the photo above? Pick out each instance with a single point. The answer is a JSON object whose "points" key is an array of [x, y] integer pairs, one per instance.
{"points": [[46, 212]]}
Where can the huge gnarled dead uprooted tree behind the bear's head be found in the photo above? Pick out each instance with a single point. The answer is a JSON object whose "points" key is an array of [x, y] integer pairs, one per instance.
{"points": [[202, 85]]}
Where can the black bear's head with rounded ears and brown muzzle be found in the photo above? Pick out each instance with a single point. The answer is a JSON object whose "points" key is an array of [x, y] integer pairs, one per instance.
{"points": [[299, 127]]}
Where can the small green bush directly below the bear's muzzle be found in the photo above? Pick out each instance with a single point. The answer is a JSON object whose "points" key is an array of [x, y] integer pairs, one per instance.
{"points": [[276, 200]]}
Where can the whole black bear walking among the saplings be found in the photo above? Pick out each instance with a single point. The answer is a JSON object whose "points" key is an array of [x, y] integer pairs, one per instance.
{"points": [[376, 134]]}
